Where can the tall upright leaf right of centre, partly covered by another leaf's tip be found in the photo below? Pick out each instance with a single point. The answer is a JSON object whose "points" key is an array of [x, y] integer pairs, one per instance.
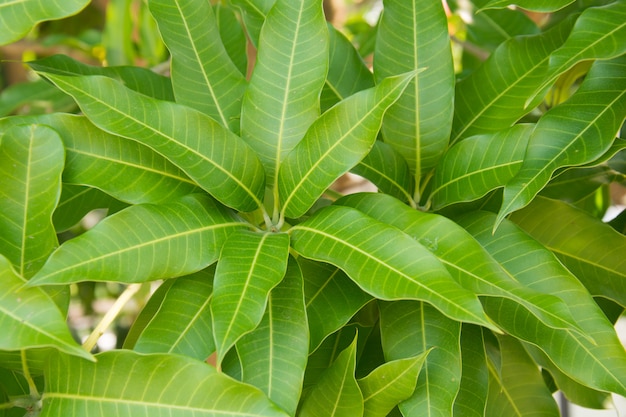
{"points": [[418, 124]]}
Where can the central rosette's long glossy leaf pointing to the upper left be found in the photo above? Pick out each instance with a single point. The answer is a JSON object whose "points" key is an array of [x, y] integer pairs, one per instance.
{"points": [[224, 166]]}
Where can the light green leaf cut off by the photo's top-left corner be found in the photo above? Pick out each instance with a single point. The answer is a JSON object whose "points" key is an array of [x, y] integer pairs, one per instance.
{"points": [[18, 17]]}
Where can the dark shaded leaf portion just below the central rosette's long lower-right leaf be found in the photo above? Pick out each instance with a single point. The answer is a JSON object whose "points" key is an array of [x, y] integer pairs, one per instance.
{"points": [[331, 299]]}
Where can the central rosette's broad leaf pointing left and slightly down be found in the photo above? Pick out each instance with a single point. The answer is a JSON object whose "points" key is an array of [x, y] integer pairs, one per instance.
{"points": [[167, 240]]}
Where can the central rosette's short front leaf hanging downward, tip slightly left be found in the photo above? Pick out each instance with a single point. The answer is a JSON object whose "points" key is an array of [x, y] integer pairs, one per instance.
{"points": [[250, 265]]}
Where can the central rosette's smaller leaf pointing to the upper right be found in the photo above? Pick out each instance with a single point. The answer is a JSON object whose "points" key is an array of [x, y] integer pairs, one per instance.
{"points": [[335, 143]]}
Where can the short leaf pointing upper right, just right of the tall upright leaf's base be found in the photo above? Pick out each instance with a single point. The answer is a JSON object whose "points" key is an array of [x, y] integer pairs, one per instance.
{"points": [[477, 165]]}
